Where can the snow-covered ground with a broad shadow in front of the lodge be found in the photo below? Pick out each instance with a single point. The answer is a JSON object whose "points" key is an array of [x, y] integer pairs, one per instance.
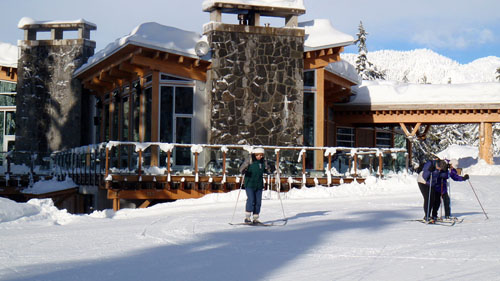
{"points": [[347, 232]]}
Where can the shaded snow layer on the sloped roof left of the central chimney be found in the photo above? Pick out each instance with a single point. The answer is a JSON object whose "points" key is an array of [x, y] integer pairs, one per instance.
{"points": [[150, 35]]}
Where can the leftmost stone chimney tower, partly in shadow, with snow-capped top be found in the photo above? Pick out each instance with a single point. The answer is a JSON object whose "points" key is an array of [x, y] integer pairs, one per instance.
{"points": [[49, 101]]}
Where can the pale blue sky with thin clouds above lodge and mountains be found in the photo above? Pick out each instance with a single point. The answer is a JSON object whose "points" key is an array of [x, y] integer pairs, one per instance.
{"points": [[462, 30]]}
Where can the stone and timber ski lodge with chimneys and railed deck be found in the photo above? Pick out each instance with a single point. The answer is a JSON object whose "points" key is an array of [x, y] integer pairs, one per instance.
{"points": [[166, 114]]}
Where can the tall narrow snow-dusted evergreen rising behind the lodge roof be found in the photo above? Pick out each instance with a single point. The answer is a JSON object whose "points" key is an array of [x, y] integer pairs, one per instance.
{"points": [[365, 69]]}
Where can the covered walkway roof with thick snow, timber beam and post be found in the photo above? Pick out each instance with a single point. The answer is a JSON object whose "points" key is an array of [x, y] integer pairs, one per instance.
{"points": [[415, 107]]}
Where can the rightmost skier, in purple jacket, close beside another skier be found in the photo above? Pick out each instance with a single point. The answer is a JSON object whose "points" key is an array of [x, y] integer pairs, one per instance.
{"points": [[441, 187]]}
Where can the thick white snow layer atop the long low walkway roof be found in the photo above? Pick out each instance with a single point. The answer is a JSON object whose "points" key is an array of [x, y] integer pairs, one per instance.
{"points": [[381, 92]]}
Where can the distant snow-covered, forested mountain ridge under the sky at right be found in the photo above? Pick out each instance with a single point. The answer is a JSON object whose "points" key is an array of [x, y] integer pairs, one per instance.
{"points": [[424, 64]]}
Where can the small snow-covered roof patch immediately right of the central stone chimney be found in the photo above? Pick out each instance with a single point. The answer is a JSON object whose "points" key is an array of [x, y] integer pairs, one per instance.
{"points": [[320, 34]]}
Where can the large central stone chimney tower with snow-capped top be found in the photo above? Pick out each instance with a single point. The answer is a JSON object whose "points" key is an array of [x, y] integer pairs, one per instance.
{"points": [[256, 77]]}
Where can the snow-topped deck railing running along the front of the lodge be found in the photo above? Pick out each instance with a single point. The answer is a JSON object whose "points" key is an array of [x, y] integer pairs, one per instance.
{"points": [[113, 161]]}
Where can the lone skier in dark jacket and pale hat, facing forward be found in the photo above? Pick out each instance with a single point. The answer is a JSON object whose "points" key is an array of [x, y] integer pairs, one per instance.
{"points": [[254, 170]]}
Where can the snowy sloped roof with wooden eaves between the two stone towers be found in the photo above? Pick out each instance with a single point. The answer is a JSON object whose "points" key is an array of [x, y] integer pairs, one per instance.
{"points": [[137, 55]]}
